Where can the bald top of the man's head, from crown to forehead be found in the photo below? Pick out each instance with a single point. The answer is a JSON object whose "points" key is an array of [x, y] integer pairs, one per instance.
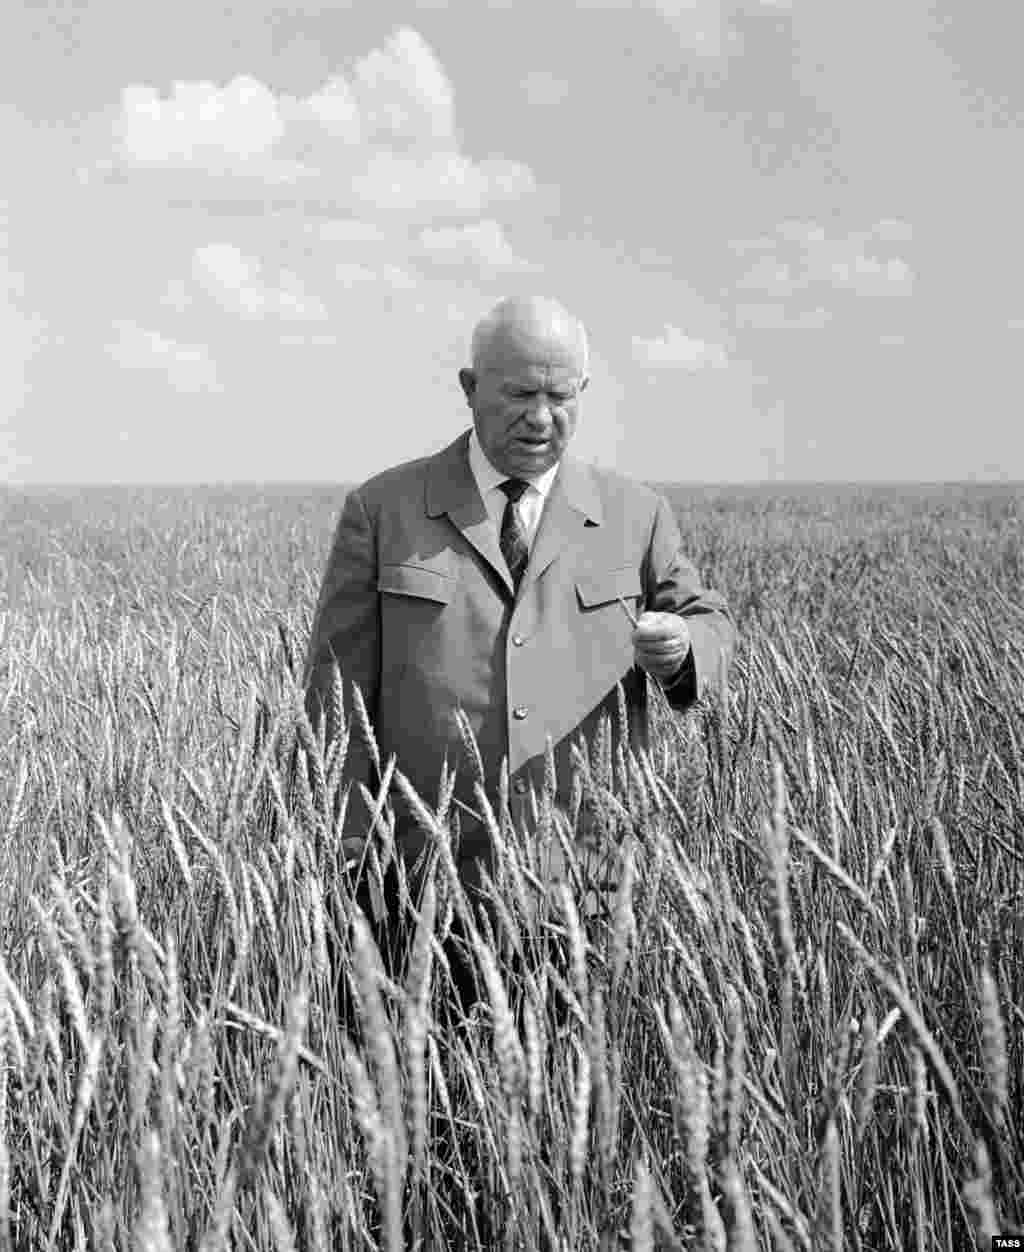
{"points": [[528, 326]]}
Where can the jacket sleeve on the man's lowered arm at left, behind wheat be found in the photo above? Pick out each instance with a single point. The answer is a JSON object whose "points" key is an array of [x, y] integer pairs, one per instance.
{"points": [[346, 625]]}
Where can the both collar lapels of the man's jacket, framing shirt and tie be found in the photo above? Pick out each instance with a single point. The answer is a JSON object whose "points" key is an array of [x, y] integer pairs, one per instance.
{"points": [[573, 503]]}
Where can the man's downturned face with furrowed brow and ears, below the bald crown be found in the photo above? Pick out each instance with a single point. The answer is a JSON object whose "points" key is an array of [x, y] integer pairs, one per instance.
{"points": [[525, 403]]}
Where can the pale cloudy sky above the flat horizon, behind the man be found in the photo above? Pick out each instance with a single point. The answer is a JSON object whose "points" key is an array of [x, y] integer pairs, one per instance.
{"points": [[251, 244]]}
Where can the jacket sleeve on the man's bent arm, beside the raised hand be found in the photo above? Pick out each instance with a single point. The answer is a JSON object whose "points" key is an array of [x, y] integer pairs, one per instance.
{"points": [[673, 587]]}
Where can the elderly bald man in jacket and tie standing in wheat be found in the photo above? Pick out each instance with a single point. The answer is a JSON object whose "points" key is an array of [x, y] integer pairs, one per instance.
{"points": [[489, 578]]}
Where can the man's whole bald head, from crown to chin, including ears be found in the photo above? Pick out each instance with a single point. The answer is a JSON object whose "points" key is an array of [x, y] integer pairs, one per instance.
{"points": [[530, 369]]}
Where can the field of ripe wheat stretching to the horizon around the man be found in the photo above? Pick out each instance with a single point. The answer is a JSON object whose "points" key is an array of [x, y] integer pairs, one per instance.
{"points": [[801, 1027]]}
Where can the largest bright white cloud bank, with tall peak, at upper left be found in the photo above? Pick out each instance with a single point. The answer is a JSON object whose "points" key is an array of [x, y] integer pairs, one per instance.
{"points": [[381, 138]]}
